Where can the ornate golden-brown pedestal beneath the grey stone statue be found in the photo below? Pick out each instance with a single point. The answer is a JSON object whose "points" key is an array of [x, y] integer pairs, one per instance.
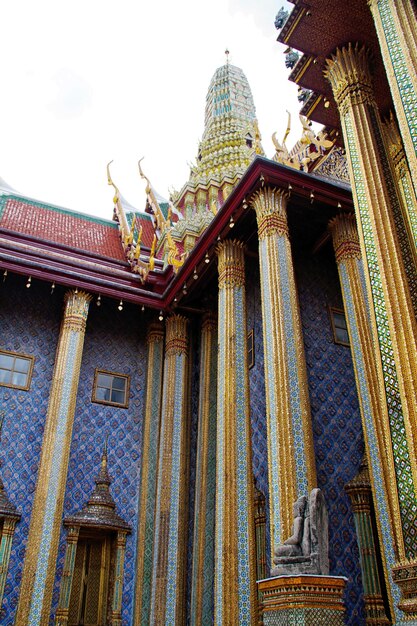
{"points": [[302, 600]]}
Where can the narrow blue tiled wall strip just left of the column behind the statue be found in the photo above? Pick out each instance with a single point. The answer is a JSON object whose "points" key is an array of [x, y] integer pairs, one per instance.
{"points": [[257, 387]]}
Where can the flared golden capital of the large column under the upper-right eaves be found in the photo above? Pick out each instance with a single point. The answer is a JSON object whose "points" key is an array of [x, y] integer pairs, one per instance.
{"points": [[349, 75]]}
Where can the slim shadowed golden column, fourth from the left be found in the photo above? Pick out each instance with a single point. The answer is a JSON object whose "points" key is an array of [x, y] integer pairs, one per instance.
{"points": [[205, 491]]}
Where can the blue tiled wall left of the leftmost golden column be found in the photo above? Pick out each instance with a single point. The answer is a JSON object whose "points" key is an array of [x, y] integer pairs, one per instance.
{"points": [[29, 322]]}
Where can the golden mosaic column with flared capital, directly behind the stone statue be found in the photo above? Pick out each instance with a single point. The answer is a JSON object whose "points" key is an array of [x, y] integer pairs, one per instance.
{"points": [[291, 463]]}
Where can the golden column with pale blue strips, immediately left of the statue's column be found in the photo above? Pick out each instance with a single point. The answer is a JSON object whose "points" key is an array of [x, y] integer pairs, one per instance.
{"points": [[235, 599]]}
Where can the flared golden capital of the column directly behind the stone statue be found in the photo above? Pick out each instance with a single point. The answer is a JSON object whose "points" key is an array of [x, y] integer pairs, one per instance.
{"points": [[270, 205]]}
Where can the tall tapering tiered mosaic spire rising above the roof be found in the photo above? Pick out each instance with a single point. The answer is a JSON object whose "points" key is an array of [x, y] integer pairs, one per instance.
{"points": [[230, 142]]}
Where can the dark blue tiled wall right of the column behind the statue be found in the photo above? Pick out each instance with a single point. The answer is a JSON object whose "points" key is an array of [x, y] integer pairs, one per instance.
{"points": [[337, 430]]}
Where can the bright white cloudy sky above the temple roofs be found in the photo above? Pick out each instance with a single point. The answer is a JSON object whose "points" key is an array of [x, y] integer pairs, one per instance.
{"points": [[88, 81]]}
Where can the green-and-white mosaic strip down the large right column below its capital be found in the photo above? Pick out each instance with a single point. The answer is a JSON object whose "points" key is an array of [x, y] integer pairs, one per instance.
{"points": [[400, 450]]}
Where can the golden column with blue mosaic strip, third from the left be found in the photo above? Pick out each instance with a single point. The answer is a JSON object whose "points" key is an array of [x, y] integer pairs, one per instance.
{"points": [[170, 533]]}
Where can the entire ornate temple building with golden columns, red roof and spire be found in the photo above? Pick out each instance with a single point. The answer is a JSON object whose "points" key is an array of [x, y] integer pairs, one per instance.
{"points": [[207, 406]]}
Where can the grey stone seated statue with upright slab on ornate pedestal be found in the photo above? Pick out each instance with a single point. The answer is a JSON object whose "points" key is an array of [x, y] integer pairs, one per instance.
{"points": [[307, 550]]}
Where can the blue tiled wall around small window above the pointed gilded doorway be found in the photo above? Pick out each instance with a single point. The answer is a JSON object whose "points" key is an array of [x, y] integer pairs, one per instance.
{"points": [[114, 341]]}
